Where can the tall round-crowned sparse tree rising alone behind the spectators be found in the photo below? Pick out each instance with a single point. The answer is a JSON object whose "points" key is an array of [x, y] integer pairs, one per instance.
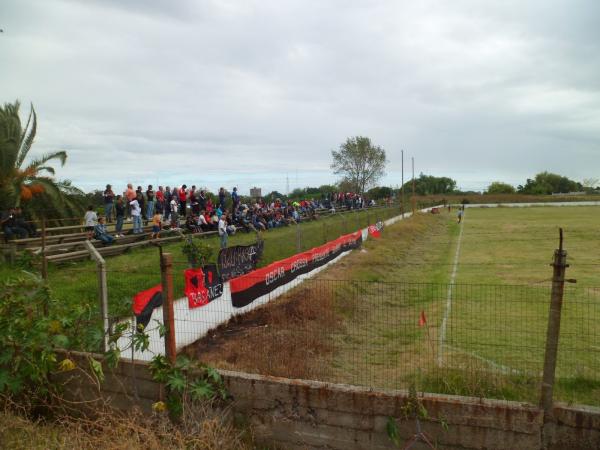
{"points": [[359, 162]]}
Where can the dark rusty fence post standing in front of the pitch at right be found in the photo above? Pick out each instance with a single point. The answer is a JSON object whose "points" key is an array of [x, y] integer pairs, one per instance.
{"points": [[558, 283]]}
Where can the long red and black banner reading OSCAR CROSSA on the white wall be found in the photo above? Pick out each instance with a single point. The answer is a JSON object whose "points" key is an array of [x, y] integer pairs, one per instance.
{"points": [[247, 288]]}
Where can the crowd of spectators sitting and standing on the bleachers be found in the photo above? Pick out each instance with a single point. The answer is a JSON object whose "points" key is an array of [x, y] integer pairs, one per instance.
{"points": [[191, 209]]}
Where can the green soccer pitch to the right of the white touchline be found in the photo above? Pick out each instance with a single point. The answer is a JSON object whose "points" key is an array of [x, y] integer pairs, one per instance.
{"points": [[496, 313]]}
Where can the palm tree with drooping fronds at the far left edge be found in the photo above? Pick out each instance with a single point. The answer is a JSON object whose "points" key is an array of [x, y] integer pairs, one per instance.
{"points": [[22, 181]]}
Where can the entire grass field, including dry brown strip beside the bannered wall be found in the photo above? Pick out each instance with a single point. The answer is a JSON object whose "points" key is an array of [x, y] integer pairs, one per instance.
{"points": [[358, 322]]}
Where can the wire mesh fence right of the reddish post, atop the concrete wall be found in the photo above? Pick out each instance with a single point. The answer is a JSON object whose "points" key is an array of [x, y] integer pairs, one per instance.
{"points": [[478, 340]]}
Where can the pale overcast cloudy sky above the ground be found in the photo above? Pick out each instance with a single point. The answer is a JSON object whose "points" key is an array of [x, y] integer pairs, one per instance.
{"points": [[257, 93]]}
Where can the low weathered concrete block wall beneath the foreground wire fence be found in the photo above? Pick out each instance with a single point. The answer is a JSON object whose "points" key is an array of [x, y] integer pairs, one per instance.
{"points": [[298, 414]]}
